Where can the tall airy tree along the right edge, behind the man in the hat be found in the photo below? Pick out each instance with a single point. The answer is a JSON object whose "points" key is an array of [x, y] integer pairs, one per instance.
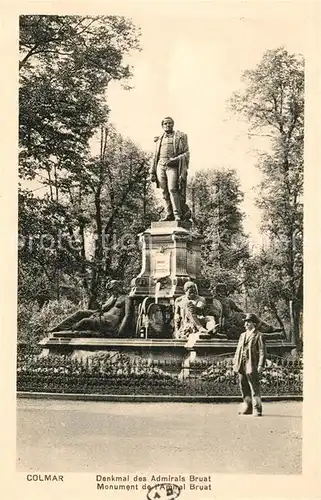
{"points": [[273, 103]]}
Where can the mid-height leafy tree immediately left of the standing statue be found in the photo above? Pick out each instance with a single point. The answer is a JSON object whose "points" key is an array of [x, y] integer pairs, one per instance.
{"points": [[120, 204]]}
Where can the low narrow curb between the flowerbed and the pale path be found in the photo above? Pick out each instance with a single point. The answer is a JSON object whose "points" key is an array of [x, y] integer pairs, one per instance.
{"points": [[140, 398]]}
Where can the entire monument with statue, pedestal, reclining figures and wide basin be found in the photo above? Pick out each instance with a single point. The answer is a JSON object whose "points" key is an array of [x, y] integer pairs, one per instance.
{"points": [[170, 310]]}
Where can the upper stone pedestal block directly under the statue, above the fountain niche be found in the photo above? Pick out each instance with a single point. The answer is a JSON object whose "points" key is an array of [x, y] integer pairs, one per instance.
{"points": [[171, 256]]}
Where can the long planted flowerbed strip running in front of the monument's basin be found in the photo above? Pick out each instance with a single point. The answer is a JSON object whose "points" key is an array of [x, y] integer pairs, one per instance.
{"points": [[120, 374]]}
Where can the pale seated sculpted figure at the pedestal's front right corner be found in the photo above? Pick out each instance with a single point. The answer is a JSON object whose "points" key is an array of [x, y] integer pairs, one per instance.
{"points": [[191, 318]]}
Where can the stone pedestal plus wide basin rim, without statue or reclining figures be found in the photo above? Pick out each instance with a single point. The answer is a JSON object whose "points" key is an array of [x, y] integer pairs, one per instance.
{"points": [[171, 256]]}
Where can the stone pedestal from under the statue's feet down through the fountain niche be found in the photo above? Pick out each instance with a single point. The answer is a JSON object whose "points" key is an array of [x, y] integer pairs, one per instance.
{"points": [[171, 256]]}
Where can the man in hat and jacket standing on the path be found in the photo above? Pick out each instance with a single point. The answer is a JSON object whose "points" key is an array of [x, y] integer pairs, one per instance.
{"points": [[248, 362]]}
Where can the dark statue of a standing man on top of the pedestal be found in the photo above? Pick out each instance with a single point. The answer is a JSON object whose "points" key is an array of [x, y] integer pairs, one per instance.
{"points": [[169, 170]]}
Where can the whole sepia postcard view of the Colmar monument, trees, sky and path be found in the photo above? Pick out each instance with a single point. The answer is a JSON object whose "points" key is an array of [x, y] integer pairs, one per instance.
{"points": [[161, 246]]}
